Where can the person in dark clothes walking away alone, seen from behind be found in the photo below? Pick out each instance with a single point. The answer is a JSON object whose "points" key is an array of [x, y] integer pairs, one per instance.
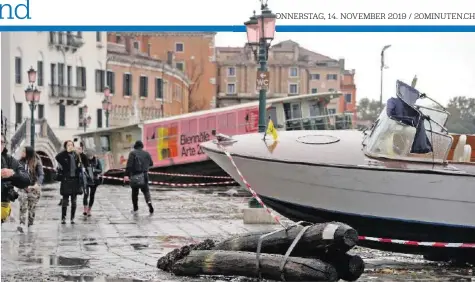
{"points": [[136, 172]]}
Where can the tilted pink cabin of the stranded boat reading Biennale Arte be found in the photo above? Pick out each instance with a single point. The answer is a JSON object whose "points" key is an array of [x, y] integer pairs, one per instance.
{"points": [[175, 140]]}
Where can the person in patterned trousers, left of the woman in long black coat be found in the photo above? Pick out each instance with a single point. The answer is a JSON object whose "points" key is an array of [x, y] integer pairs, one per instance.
{"points": [[30, 196]]}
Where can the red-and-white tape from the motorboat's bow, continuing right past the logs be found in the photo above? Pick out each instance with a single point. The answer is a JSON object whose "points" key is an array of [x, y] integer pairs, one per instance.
{"points": [[362, 238]]}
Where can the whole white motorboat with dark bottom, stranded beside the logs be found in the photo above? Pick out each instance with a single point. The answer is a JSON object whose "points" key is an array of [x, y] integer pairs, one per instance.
{"points": [[391, 182]]}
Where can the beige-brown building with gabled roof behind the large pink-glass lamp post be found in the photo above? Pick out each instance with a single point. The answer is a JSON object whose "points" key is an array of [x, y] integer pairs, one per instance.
{"points": [[293, 70]]}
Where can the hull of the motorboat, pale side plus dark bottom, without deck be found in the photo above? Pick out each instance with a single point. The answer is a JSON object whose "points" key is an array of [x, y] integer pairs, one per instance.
{"points": [[400, 204]]}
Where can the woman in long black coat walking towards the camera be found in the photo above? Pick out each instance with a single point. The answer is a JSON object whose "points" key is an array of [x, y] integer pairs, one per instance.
{"points": [[72, 164]]}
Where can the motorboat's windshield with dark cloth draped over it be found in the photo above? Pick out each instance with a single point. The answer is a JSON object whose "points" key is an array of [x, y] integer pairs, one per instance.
{"points": [[399, 132]]}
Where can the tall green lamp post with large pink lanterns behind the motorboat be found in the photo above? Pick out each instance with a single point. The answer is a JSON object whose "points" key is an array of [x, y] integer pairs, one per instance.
{"points": [[260, 32]]}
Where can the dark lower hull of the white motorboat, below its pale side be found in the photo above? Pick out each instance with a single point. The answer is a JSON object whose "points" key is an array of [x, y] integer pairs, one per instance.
{"points": [[380, 227]]}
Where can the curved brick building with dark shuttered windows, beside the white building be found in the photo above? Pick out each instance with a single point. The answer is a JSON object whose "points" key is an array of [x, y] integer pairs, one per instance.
{"points": [[142, 87]]}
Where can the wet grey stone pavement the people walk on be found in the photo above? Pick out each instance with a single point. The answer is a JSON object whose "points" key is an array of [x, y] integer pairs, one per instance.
{"points": [[114, 245]]}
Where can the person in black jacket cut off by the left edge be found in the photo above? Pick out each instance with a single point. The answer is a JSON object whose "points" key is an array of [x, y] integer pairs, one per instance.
{"points": [[13, 175]]}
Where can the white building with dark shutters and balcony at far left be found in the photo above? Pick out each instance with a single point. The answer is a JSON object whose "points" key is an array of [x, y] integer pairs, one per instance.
{"points": [[66, 64]]}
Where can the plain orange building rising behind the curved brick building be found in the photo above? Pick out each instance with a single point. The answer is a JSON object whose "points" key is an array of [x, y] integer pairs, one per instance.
{"points": [[193, 53]]}
